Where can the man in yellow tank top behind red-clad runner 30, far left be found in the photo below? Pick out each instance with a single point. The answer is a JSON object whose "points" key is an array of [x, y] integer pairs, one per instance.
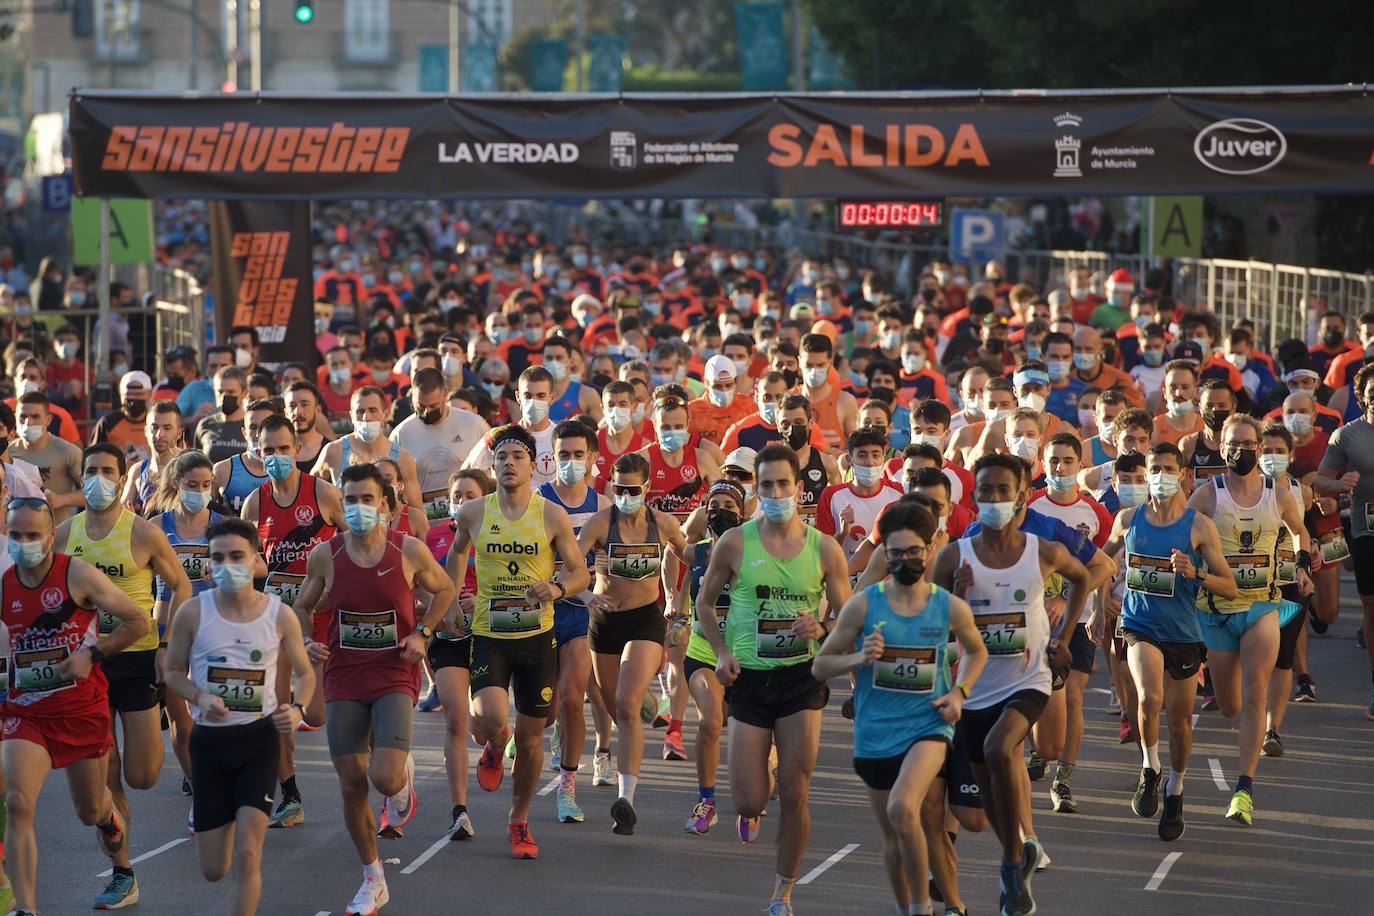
{"points": [[130, 551]]}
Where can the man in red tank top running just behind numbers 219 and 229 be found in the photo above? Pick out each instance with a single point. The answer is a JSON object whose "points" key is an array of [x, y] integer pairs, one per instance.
{"points": [[295, 513]]}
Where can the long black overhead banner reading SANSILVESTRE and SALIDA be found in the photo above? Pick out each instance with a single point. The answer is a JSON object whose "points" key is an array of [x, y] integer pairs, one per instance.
{"points": [[890, 146]]}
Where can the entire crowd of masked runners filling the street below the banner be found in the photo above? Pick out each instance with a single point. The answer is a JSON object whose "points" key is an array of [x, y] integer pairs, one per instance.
{"points": [[598, 484]]}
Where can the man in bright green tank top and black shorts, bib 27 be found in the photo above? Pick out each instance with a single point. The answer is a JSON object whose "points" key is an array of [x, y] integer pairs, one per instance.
{"points": [[777, 568]]}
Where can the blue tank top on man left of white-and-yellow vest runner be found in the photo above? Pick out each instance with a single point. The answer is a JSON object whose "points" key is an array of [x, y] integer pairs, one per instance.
{"points": [[1159, 604]]}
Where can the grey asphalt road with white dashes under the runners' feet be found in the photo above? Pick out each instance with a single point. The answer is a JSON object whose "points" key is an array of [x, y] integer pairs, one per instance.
{"points": [[1310, 849]]}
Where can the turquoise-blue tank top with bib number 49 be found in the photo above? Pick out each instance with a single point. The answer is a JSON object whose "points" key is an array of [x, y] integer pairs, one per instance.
{"points": [[892, 697]]}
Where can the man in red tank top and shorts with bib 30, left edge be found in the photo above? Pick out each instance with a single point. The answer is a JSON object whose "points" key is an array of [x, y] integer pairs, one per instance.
{"points": [[57, 715]]}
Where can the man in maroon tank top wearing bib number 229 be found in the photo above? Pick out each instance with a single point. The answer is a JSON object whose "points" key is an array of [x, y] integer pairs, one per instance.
{"points": [[363, 582]]}
